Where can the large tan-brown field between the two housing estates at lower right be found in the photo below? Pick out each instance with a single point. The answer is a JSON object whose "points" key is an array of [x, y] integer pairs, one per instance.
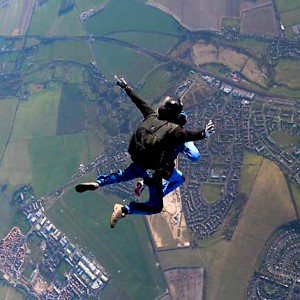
{"points": [[230, 265]]}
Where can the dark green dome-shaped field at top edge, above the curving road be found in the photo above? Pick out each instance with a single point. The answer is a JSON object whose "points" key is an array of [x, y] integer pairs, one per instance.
{"points": [[138, 17]]}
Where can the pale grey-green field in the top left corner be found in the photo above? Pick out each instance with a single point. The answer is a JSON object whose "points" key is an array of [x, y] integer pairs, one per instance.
{"points": [[9, 17]]}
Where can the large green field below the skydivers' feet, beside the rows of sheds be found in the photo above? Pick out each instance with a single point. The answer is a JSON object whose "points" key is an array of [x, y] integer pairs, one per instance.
{"points": [[125, 252]]}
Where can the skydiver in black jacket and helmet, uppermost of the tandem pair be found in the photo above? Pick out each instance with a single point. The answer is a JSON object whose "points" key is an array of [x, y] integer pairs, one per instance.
{"points": [[153, 168]]}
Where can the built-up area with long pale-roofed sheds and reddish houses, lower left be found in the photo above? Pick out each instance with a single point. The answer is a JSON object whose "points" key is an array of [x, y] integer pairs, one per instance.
{"points": [[84, 276]]}
